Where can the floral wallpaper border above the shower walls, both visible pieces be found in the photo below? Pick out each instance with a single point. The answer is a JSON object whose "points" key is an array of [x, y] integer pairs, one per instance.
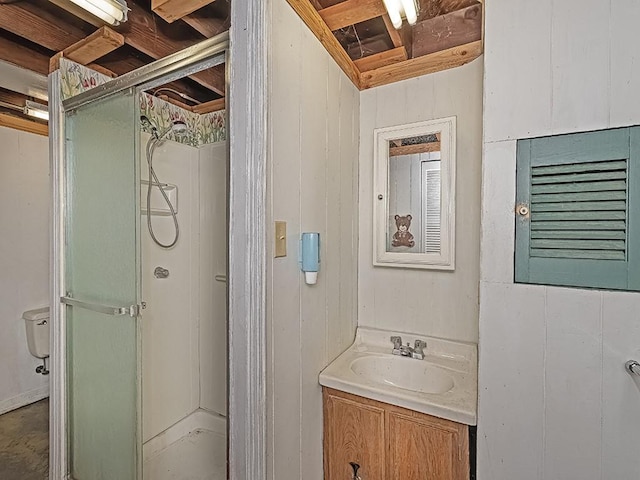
{"points": [[201, 129]]}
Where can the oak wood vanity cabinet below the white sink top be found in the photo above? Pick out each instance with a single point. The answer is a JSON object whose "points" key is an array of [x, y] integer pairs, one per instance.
{"points": [[389, 442]]}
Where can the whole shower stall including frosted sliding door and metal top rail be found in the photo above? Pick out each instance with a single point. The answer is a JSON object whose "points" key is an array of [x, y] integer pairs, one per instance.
{"points": [[140, 228]]}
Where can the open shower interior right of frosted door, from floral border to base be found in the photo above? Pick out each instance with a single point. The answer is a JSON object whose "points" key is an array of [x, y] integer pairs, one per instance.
{"points": [[184, 325]]}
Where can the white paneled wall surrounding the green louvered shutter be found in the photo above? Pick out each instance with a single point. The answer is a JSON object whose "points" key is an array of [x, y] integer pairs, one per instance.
{"points": [[555, 401]]}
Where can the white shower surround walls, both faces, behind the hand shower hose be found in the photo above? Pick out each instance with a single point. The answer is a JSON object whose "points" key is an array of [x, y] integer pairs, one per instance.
{"points": [[184, 324]]}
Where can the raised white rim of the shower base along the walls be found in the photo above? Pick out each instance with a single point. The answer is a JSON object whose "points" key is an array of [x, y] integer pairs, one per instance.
{"points": [[198, 420]]}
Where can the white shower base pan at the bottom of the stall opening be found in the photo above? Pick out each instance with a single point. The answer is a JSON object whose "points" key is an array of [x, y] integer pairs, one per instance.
{"points": [[193, 449]]}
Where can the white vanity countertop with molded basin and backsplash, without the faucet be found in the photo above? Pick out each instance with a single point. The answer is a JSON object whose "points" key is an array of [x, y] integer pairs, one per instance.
{"points": [[444, 384]]}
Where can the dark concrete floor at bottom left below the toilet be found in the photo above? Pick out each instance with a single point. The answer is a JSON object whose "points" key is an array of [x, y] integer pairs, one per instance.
{"points": [[24, 443]]}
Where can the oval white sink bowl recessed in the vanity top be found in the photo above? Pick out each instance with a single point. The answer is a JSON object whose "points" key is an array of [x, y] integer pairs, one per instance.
{"points": [[407, 373]]}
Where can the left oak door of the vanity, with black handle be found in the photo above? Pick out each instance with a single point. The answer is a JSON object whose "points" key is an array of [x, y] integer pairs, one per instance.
{"points": [[353, 432]]}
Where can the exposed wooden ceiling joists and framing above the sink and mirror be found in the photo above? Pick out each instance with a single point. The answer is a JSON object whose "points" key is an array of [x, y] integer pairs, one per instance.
{"points": [[361, 38]]}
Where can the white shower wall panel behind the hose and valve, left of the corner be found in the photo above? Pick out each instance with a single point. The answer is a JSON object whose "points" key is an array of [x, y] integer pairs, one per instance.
{"points": [[170, 323]]}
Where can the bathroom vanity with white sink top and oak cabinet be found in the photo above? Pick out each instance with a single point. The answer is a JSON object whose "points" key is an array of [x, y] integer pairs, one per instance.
{"points": [[396, 417]]}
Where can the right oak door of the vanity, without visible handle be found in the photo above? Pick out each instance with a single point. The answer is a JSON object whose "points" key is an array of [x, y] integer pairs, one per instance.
{"points": [[422, 447]]}
